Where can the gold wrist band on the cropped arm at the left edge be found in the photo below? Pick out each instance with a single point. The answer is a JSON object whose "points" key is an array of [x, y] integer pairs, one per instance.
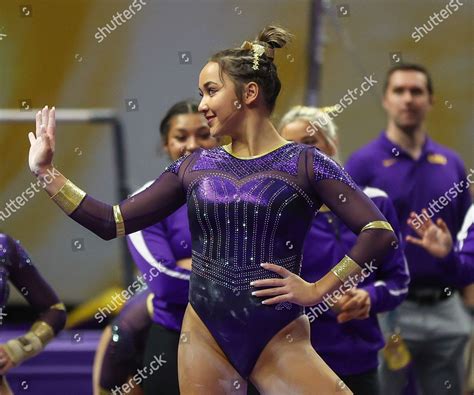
{"points": [[31, 343]]}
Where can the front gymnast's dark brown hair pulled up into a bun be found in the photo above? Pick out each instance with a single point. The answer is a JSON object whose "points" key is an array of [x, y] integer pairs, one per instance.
{"points": [[237, 64]]}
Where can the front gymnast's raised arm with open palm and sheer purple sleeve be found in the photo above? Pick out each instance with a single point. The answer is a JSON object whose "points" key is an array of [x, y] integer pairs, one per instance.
{"points": [[152, 205]]}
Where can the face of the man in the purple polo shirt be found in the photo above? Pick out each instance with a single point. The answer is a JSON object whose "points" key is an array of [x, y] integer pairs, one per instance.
{"points": [[407, 99]]}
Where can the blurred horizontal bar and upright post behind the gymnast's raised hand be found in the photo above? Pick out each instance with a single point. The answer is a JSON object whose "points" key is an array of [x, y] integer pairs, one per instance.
{"points": [[94, 116]]}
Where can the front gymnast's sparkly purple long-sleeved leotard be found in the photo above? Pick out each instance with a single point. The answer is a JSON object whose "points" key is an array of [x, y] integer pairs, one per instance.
{"points": [[244, 212]]}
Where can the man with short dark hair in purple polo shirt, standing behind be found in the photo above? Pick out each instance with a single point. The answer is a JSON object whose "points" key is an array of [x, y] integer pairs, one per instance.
{"points": [[418, 173]]}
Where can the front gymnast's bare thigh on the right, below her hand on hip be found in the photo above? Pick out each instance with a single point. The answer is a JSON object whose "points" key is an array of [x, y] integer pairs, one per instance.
{"points": [[290, 365]]}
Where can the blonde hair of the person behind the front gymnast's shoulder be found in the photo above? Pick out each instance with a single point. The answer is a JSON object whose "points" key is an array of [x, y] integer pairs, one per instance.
{"points": [[318, 119]]}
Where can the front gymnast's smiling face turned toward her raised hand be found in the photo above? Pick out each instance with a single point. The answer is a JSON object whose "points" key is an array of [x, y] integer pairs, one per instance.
{"points": [[219, 103]]}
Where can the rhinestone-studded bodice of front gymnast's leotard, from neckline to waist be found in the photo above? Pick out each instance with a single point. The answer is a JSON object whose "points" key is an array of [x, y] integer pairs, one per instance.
{"points": [[243, 212]]}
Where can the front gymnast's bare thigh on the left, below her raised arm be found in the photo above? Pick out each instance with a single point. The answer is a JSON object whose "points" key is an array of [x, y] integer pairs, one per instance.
{"points": [[203, 368]]}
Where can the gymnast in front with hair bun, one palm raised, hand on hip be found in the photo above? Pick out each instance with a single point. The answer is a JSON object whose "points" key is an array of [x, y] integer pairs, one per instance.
{"points": [[250, 204]]}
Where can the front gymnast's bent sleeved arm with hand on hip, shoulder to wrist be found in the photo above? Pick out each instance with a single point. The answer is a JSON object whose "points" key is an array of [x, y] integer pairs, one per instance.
{"points": [[376, 240]]}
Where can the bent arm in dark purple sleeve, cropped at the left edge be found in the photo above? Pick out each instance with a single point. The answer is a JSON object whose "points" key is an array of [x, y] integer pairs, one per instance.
{"points": [[40, 295]]}
